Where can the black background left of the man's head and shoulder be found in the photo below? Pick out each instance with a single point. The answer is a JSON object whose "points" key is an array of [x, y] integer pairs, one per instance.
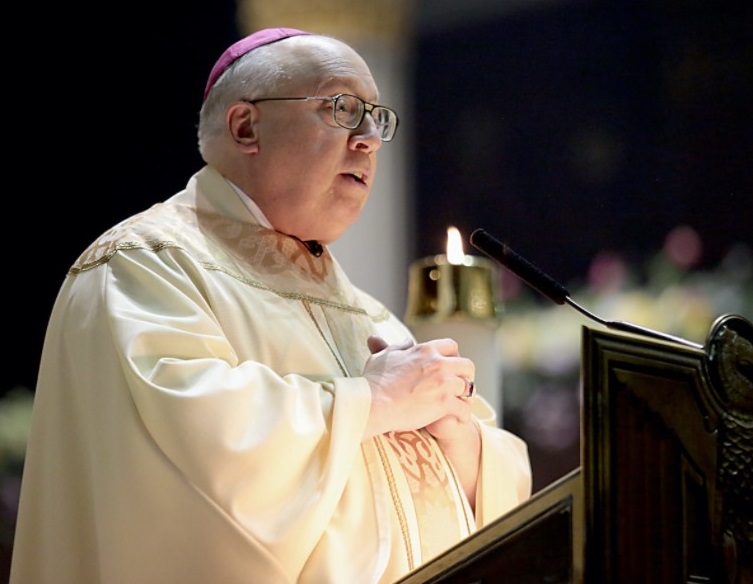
{"points": [[110, 130]]}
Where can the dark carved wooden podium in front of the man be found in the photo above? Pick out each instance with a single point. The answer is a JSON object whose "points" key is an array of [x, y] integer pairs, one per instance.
{"points": [[664, 492]]}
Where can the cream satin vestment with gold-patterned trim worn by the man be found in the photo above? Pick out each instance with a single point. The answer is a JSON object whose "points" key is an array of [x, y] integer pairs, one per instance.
{"points": [[199, 414]]}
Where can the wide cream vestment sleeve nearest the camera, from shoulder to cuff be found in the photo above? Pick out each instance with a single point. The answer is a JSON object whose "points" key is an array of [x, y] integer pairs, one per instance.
{"points": [[208, 362]]}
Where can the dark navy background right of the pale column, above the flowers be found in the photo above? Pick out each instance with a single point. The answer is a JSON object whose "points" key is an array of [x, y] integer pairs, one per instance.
{"points": [[588, 126]]}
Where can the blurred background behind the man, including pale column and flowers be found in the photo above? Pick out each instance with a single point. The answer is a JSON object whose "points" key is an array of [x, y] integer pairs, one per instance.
{"points": [[609, 142]]}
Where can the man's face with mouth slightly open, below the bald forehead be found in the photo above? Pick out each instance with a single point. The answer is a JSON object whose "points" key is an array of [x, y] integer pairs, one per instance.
{"points": [[316, 175]]}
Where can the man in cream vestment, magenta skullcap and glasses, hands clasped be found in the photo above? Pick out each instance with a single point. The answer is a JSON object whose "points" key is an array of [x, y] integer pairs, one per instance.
{"points": [[217, 403]]}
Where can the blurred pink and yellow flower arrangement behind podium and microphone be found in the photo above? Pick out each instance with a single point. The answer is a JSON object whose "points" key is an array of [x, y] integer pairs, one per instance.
{"points": [[540, 342]]}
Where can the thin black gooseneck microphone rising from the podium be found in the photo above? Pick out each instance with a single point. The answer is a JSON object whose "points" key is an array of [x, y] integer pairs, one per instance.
{"points": [[555, 291]]}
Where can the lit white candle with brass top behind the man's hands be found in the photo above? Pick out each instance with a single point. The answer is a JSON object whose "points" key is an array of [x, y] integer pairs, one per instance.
{"points": [[458, 296]]}
